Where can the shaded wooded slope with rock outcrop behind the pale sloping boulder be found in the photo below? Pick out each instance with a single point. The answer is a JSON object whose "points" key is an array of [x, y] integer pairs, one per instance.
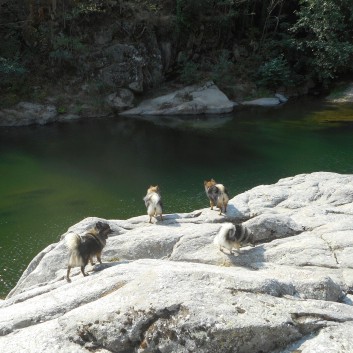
{"points": [[83, 60]]}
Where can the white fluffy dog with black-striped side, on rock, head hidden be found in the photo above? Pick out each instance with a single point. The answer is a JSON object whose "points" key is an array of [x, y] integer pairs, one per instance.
{"points": [[233, 236]]}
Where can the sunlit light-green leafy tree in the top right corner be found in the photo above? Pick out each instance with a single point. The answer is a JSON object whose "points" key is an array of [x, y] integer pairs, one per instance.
{"points": [[324, 36]]}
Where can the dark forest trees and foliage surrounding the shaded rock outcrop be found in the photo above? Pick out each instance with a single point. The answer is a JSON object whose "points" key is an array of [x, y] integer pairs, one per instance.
{"points": [[261, 44]]}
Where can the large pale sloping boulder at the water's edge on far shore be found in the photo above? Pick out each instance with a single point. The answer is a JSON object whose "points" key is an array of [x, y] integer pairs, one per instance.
{"points": [[198, 99]]}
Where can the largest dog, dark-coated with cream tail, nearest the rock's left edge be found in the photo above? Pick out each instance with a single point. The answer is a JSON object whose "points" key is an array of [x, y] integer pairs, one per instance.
{"points": [[83, 248]]}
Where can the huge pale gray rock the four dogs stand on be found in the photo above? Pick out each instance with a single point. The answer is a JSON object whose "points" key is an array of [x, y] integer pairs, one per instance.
{"points": [[165, 287]]}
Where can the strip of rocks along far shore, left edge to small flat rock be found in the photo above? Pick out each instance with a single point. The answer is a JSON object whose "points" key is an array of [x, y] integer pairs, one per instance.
{"points": [[202, 99]]}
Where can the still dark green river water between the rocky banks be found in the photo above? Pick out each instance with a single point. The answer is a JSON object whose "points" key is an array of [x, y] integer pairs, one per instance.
{"points": [[54, 176]]}
